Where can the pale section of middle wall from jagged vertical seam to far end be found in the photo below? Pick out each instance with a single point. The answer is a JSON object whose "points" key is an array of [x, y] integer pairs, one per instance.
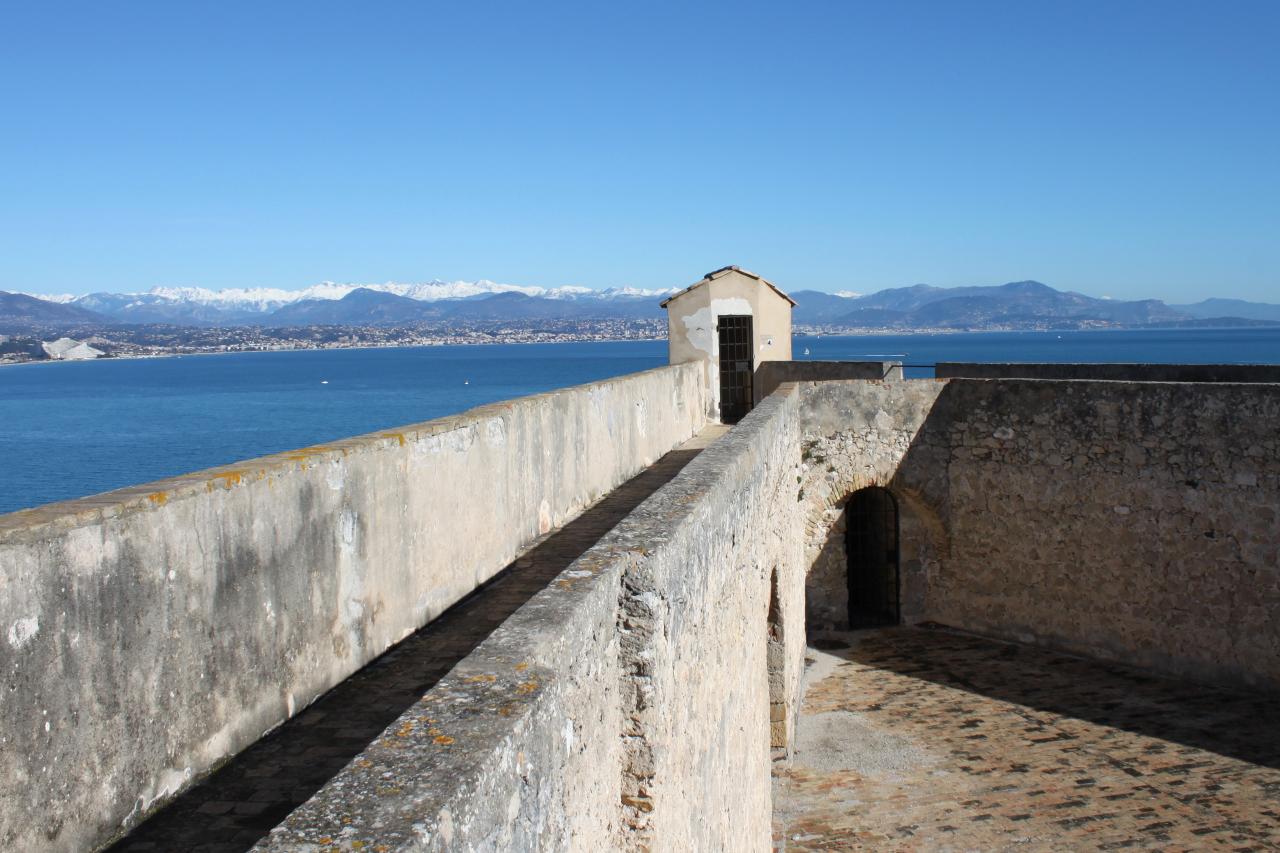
{"points": [[696, 627]]}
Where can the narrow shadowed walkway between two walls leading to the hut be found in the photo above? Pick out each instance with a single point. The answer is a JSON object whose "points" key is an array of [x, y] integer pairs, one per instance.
{"points": [[240, 804]]}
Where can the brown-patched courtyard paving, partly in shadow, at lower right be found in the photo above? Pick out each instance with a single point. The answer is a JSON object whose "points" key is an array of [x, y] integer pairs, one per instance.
{"points": [[916, 740]]}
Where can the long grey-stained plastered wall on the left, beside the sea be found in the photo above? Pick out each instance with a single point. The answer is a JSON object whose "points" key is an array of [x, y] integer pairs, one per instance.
{"points": [[149, 633]]}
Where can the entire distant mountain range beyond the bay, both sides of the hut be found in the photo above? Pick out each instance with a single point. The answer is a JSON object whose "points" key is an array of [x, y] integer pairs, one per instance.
{"points": [[1014, 305]]}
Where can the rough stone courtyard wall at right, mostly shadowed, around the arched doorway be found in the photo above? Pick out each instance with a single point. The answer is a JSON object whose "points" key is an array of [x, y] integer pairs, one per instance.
{"points": [[1131, 522]]}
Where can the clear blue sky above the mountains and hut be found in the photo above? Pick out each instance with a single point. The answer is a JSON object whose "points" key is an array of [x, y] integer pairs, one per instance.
{"points": [[1118, 149]]}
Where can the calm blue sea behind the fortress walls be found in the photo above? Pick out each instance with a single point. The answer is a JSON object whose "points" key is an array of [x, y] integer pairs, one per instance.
{"points": [[80, 428]]}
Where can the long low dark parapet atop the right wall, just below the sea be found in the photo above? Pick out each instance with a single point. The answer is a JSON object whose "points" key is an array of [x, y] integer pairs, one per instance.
{"points": [[1112, 372]]}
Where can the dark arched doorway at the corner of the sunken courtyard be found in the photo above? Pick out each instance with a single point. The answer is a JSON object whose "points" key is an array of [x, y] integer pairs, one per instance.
{"points": [[871, 544]]}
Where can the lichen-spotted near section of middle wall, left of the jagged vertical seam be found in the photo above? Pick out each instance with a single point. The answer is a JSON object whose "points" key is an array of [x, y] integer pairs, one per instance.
{"points": [[518, 749]]}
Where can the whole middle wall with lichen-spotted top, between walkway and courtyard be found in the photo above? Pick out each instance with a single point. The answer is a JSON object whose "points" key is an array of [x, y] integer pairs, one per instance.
{"points": [[627, 706]]}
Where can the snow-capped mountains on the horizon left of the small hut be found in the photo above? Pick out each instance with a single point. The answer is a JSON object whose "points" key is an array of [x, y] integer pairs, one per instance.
{"points": [[204, 307]]}
